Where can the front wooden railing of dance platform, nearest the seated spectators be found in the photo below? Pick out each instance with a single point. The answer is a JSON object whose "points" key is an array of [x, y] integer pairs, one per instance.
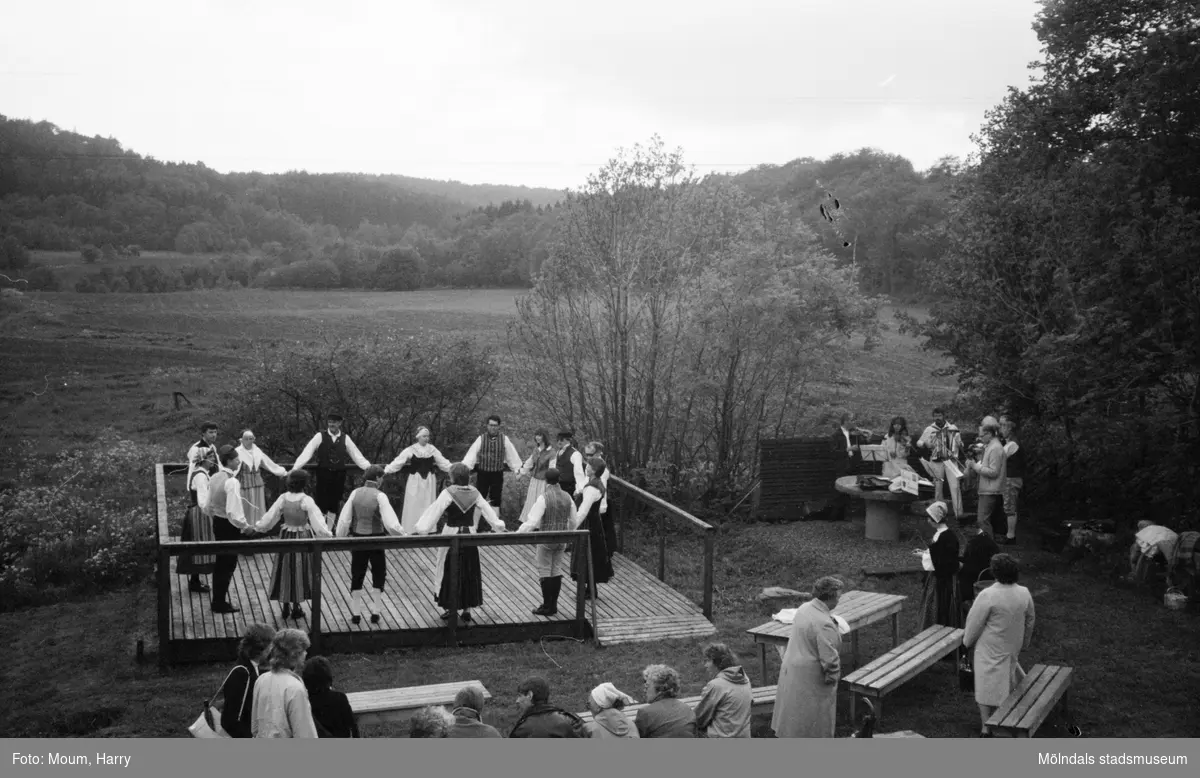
{"points": [[170, 547]]}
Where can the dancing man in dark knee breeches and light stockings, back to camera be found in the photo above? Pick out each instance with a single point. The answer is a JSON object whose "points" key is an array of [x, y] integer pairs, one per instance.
{"points": [[369, 514]]}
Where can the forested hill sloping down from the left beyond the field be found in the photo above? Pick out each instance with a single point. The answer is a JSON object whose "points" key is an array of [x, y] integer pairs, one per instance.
{"points": [[62, 190]]}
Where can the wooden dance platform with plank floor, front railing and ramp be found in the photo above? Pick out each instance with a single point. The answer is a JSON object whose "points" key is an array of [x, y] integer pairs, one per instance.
{"points": [[634, 607]]}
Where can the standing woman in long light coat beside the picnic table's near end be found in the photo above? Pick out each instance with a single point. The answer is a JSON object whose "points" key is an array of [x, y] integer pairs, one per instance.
{"points": [[807, 702]]}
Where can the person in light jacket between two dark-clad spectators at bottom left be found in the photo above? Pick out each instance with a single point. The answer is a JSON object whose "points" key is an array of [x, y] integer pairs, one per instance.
{"points": [[281, 699]]}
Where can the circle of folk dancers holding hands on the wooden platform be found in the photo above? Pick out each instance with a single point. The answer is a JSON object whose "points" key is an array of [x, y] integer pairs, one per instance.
{"points": [[568, 490]]}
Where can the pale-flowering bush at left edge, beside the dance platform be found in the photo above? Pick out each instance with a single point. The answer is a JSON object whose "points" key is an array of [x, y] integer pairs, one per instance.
{"points": [[79, 523]]}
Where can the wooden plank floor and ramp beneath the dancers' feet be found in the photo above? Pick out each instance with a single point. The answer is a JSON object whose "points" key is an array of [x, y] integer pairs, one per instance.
{"points": [[634, 607]]}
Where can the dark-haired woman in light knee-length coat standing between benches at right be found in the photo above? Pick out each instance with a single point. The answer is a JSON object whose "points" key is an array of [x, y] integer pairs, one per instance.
{"points": [[1000, 626]]}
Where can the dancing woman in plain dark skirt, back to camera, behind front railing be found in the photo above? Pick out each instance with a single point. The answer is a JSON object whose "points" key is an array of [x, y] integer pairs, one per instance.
{"points": [[461, 505]]}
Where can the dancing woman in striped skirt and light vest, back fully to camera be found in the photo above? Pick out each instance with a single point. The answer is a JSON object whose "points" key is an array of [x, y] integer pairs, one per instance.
{"points": [[292, 579]]}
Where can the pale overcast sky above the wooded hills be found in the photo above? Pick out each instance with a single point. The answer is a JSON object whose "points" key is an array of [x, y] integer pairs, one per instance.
{"points": [[520, 92]]}
